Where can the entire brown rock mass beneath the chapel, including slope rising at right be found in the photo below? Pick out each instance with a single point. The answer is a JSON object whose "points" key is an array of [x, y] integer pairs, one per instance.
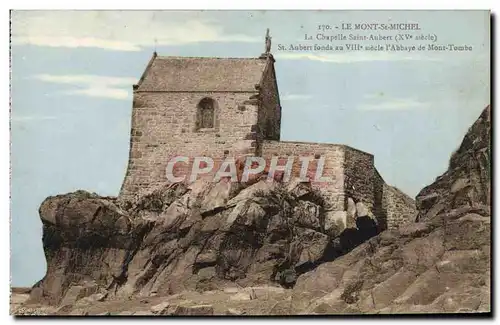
{"points": [[226, 248]]}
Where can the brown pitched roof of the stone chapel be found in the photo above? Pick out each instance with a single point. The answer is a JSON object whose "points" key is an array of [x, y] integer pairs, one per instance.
{"points": [[202, 74]]}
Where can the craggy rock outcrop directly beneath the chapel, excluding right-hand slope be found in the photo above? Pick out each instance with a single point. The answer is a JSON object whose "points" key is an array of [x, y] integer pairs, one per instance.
{"points": [[198, 237]]}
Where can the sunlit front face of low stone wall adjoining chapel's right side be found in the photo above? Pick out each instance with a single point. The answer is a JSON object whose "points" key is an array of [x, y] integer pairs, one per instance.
{"points": [[333, 167]]}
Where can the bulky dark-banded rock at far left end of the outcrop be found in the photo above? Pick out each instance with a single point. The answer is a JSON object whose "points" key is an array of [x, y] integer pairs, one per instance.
{"points": [[86, 237]]}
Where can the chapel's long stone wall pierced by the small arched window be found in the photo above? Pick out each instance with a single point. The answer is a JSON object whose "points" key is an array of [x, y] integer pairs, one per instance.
{"points": [[163, 126]]}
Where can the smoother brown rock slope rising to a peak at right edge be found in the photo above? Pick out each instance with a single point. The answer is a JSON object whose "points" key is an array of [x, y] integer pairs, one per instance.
{"points": [[439, 264]]}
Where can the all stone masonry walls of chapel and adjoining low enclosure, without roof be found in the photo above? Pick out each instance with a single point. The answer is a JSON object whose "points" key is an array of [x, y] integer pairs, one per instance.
{"points": [[164, 126]]}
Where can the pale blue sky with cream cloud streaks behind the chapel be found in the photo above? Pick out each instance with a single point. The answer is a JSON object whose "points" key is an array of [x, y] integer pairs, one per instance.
{"points": [[72, 76]]}
